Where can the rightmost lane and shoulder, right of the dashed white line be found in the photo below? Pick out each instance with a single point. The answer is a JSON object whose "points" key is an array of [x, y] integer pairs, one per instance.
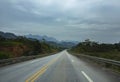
{"points": [[95, 72]]}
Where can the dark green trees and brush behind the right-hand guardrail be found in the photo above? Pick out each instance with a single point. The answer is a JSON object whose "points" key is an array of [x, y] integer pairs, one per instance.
{"points": [[110, 51]]}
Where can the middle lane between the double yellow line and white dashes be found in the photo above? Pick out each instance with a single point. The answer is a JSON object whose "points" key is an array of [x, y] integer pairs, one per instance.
{"points": [[61, 71]]}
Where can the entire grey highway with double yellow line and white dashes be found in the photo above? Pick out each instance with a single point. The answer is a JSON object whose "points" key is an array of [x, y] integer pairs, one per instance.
{"points": [[61, 67]]}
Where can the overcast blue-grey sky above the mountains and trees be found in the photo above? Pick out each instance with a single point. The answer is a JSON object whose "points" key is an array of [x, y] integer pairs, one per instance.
{"points": [[98, 20]]}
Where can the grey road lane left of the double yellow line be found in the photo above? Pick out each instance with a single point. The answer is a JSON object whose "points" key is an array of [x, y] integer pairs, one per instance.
{"points": [[21, 71]]}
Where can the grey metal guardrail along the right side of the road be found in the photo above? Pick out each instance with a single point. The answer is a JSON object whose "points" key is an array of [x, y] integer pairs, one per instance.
{"points": [[101, 60]]}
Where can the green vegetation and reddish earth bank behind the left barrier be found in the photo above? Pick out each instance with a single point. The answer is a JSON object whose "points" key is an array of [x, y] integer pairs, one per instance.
{"points": [[21, 46]]}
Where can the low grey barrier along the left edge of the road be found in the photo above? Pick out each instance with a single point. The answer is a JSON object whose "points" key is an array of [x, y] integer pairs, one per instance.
{"points": [[9, 61]]}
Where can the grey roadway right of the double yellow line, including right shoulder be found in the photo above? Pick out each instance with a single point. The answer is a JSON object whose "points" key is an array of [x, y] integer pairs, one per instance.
{"points": [[68, 68]]}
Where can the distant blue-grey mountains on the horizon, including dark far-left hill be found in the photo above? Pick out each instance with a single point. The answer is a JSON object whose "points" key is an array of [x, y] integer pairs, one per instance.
{"points": [[50, 40]]}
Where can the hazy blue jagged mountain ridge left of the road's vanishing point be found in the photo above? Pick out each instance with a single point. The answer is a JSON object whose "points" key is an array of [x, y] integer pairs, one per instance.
{"points": [[40, 38]]}
